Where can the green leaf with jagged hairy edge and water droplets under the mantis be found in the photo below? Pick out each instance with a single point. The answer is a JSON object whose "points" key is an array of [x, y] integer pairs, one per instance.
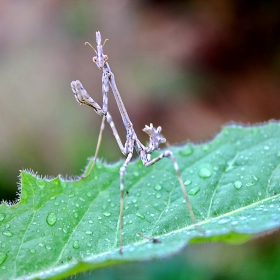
{"points": [[61, 227]]}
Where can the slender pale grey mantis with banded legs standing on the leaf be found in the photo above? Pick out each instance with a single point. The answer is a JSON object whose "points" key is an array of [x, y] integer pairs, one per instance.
{"points": [[132, 142]]}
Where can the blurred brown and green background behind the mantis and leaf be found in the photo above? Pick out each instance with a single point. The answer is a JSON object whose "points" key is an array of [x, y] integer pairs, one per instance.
{"points": [[189, 66]]}
